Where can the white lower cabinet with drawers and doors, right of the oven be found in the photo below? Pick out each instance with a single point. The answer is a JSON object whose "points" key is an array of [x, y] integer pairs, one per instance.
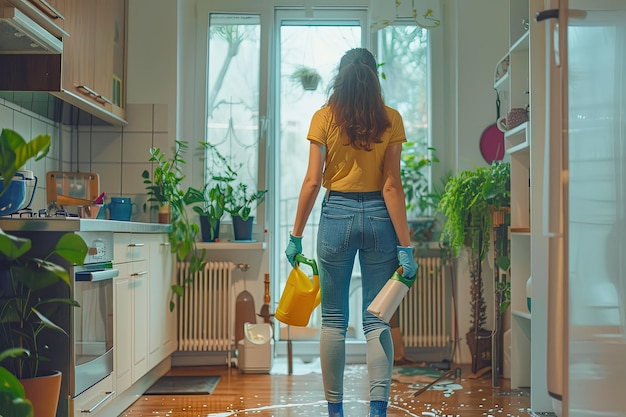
{"points": [[145, 329]]}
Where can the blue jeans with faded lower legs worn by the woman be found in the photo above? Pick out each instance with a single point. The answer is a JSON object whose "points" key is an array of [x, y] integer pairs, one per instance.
{"points": [[351, 224]]}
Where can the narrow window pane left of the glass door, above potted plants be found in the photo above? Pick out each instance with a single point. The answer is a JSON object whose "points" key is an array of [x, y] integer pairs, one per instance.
{"points": [[232, 103]]}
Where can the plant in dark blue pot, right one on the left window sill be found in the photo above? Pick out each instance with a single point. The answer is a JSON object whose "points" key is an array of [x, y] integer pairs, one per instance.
{"points": [[239, 205]]}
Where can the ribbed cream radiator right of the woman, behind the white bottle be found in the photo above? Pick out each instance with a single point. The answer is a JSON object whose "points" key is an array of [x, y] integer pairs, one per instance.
{"points": [[423, 311]]}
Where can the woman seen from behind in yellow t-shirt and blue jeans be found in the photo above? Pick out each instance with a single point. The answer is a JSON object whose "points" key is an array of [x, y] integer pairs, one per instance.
{"points": [[355, 146]]}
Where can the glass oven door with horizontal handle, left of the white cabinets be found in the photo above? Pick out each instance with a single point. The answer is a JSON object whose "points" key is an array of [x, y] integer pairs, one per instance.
{"points": [[93, 324]]}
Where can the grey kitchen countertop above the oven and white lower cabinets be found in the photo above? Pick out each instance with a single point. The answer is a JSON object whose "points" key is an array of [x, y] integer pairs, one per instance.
{"points": [[75, 224]]}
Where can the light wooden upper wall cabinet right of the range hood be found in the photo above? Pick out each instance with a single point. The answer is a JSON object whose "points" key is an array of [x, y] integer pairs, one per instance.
{"points": [[94, 55]]}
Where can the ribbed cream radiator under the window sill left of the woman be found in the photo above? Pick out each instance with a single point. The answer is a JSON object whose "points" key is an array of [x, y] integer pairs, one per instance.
{"points": [[204, 311]]}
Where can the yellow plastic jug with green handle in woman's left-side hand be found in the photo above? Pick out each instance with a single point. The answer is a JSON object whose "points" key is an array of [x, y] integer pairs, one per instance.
{"points": [[300, 296]]}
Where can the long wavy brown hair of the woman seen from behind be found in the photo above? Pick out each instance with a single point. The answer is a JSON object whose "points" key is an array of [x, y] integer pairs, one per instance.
{"points": [[356, 100]]}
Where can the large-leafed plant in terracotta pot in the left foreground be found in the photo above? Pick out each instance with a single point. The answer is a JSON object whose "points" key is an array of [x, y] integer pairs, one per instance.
{"points": [[26, 309]]}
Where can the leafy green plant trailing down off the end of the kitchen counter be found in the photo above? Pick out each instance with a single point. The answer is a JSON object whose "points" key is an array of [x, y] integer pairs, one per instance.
{"points": [[165, 188]]}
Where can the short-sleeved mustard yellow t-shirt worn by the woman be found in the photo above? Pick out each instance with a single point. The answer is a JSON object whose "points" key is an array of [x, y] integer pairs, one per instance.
{"points": [[347, 169]]}
